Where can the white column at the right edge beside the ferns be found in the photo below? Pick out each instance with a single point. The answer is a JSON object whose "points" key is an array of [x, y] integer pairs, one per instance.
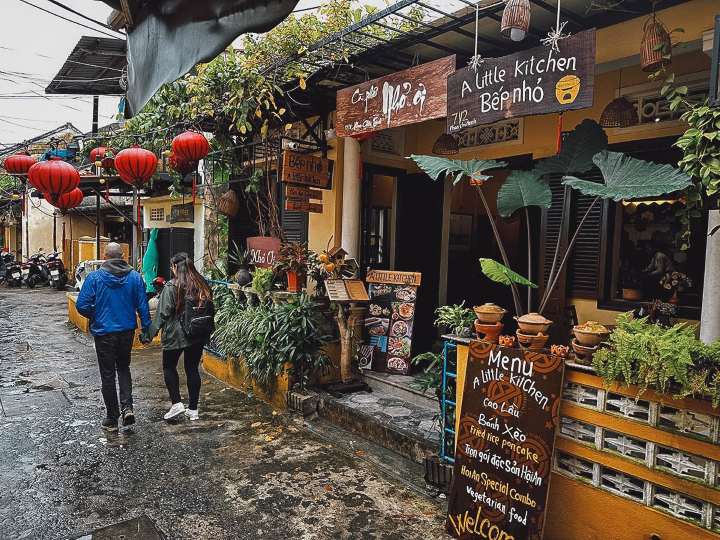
{"points": [[710, 314]]}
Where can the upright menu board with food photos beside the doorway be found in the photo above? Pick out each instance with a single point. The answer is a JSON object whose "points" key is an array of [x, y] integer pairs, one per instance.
{"points": [[390, 320]]}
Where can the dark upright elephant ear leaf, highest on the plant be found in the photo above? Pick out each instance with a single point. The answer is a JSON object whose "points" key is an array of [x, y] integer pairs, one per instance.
{"points": [[576, 155]]}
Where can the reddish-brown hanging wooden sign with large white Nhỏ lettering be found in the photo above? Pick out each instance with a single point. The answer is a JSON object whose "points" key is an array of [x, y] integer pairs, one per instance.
{"points": [[406, 97]]}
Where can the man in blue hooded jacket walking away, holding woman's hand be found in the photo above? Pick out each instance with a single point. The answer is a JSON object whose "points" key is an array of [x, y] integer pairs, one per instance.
{"points": [[111, 297]]}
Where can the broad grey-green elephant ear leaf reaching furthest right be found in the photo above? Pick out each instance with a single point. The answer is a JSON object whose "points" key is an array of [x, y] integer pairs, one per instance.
{"points": [[627, 178]]}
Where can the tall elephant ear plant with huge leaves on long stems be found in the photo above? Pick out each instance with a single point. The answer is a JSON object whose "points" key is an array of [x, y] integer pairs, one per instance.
{"points": [[624, 178]]}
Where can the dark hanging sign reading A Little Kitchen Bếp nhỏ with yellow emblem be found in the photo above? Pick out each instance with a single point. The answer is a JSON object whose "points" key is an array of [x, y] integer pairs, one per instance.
{"points": [[536, 81]]}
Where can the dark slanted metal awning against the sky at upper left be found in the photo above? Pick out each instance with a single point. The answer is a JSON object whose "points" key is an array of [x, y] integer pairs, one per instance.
{"points": [[96, 67]]}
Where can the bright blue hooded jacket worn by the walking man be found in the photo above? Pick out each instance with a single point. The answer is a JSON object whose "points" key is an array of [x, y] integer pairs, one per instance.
{"points": [[111, 297]]}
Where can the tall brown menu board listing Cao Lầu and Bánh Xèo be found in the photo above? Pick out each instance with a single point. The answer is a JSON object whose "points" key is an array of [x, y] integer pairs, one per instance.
{"points": [[505, 438]]}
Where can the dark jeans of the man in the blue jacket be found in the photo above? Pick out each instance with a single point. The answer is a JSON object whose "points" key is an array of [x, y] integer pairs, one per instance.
{"points": [[113, 351]]}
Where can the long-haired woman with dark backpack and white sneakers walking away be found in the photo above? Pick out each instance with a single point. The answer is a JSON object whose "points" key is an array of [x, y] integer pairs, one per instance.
{"points": [[184, 314]]}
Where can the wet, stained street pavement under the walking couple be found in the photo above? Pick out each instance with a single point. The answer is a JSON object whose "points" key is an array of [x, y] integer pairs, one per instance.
{"points": [[241, 472]]}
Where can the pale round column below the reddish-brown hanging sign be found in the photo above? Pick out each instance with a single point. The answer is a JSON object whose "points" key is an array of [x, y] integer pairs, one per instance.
{"points": [[352, 198]]}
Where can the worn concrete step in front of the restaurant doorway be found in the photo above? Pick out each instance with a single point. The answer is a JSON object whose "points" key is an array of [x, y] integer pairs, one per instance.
{"points": [[404, 427]]}
